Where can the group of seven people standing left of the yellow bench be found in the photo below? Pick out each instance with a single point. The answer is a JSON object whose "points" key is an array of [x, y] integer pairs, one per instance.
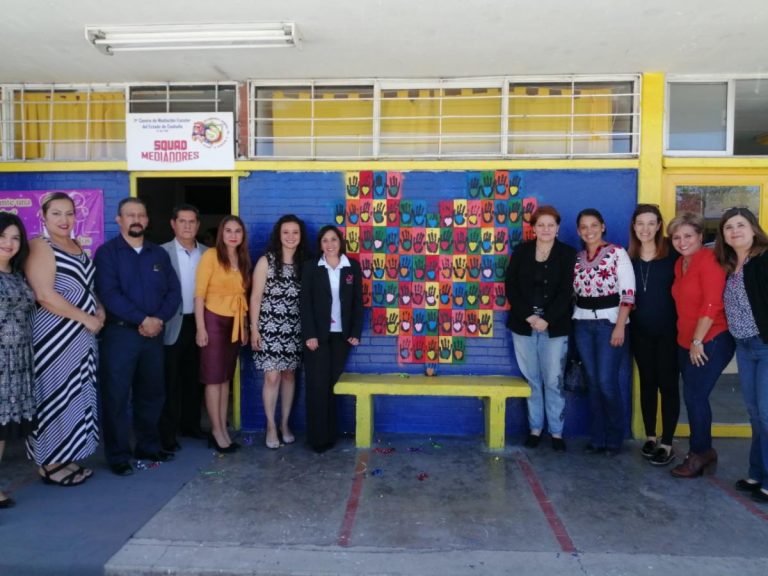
{"points": [[169, 318]]}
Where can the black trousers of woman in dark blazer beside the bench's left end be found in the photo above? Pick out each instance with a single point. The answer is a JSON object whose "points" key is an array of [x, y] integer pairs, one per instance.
{"points": [[322, 369]]}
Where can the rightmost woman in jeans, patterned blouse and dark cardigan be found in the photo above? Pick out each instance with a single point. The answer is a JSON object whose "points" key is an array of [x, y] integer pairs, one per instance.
{"points": [[742, 250]]}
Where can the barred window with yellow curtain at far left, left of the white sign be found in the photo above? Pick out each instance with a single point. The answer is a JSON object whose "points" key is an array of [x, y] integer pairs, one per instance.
{"points": [[63, 123]]}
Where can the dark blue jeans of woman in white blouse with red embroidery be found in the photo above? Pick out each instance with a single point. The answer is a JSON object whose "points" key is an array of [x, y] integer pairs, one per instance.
{"points": [[601, 363]]}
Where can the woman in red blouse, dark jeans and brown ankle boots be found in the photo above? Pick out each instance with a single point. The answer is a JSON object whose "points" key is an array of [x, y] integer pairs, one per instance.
{"points": [[704, 344]]}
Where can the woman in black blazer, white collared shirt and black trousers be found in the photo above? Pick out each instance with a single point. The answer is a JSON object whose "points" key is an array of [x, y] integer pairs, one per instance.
{"points": [[331, 323]]}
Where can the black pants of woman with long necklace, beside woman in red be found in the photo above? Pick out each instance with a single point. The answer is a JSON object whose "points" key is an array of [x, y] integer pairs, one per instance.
{"points": [[656, 357]]}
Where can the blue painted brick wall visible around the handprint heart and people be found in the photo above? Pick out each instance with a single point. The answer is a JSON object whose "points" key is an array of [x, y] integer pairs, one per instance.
{"points": [[264, 196]]}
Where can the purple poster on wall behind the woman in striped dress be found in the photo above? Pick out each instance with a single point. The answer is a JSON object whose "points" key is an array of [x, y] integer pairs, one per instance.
{"points": [[89, 213]]}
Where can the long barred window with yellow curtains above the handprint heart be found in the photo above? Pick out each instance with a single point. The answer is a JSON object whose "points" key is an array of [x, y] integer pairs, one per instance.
{"points": [[481, 117]]}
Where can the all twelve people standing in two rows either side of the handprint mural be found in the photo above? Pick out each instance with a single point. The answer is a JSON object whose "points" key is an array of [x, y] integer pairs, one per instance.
{"points": [[173, 316]]}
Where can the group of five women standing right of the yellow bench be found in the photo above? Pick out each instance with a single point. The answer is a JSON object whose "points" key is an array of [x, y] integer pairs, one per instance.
{"points": [[687, 308]]}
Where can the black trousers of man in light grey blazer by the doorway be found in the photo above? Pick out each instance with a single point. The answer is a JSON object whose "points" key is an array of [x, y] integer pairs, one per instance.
{"points": [[183, 391]]}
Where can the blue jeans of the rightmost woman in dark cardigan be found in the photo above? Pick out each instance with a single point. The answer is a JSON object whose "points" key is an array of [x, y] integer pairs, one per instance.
{"points": [[752, 357]]}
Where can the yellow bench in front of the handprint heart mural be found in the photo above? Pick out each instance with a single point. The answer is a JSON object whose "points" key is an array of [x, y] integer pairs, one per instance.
{"points": [[494, 390]]}
